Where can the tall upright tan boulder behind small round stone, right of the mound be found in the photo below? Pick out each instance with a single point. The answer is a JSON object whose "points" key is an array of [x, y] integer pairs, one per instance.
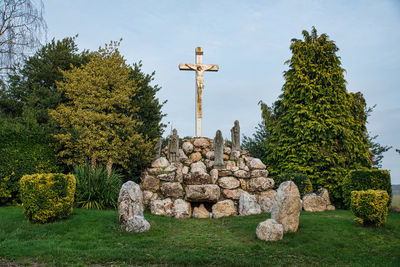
{"points": [[287, 206]]}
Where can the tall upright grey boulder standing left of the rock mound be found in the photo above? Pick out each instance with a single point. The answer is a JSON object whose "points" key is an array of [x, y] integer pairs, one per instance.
{"points": [[130, 201]]}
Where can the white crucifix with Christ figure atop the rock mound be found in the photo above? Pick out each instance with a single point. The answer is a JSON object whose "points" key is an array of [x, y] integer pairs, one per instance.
{"points": [[200, 69]]}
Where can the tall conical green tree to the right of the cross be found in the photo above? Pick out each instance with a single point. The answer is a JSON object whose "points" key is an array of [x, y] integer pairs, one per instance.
{"points": [[316, 127]]}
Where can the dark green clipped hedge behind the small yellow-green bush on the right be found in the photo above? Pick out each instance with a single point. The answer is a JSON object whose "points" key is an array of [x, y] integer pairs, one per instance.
{"points": [[365, 179]]}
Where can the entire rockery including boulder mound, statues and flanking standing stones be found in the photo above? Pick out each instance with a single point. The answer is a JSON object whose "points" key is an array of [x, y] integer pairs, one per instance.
{"points": [[207, 178]]}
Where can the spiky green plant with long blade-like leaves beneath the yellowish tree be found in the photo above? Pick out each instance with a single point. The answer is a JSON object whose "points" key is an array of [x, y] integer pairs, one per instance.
{"points": [[94, 189]]}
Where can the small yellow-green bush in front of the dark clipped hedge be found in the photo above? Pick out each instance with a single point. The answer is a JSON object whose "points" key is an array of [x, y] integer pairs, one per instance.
{"points": [[370, 207]]}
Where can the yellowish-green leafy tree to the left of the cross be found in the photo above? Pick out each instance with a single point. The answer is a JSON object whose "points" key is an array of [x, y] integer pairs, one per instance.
{"points": [[97, 120]]}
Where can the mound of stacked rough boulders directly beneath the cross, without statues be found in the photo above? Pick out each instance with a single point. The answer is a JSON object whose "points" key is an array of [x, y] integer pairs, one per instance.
{"points": [[193, 186]]}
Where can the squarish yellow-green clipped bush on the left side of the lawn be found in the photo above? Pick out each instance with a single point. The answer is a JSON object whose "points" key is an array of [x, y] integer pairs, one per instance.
{"points": [[47, 197]]}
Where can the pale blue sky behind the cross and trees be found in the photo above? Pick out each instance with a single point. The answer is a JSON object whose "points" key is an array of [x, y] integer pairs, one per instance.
{"points": [[249, 40]]}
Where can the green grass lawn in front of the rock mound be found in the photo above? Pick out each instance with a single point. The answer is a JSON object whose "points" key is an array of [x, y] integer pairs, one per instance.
{"points": [[91, 237]]}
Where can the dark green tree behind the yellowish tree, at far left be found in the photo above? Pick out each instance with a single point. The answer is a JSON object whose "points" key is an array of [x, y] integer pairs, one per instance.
{"points": [[32, 90]]}
